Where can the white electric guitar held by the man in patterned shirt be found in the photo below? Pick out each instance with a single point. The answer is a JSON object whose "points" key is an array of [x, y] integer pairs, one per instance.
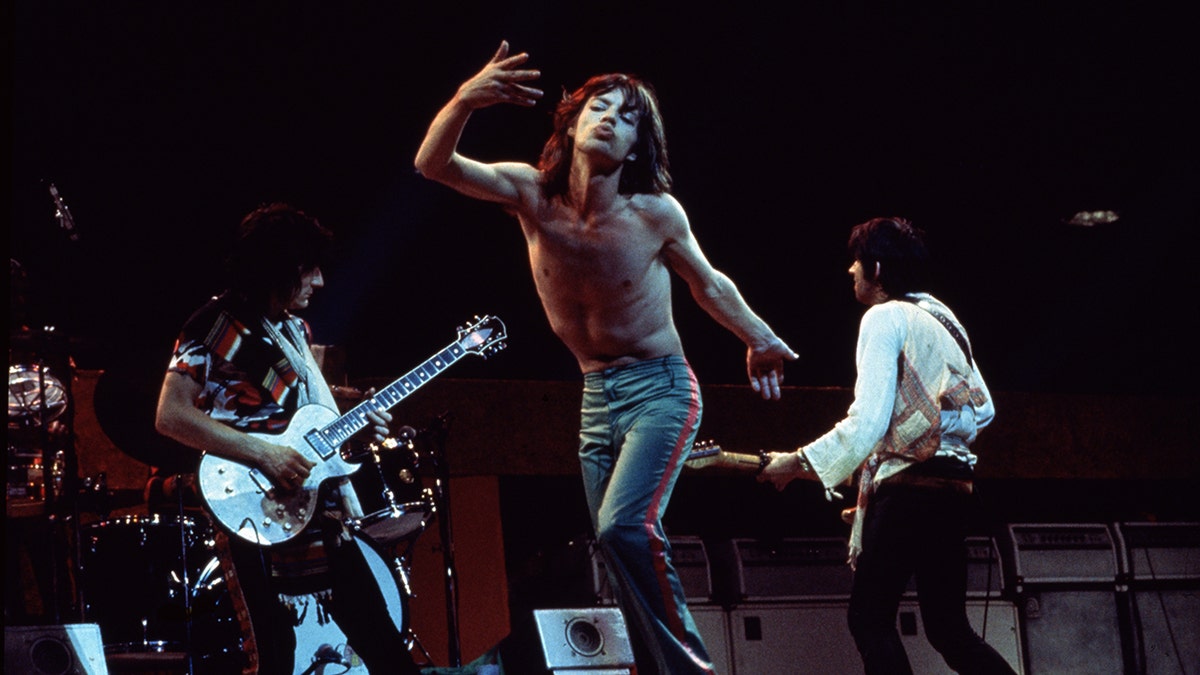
{"points": [[247, 504]]}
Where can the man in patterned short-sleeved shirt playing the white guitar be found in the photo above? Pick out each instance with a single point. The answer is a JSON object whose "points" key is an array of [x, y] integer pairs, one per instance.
{"points": [[241, 369]]}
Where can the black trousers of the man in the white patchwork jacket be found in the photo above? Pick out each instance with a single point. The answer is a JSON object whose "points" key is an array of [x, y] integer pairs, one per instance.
{"points": [[917, 533]]}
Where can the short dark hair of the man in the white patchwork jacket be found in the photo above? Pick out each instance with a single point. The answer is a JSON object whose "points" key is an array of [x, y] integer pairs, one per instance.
{"points": [[901, 250]]}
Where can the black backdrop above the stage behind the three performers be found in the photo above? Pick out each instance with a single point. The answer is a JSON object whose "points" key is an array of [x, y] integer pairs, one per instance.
{"points": [[988, 124]]}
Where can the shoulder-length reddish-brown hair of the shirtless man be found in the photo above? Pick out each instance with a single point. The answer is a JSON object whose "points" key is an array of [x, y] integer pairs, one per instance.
{"points": [[649, 172]]}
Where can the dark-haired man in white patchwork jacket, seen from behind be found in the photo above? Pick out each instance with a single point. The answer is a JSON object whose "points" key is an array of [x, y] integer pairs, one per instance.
{"points": [[920, 404]]}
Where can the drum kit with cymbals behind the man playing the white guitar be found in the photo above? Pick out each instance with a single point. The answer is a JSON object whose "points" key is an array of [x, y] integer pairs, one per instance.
{"points": [[153, 581]]}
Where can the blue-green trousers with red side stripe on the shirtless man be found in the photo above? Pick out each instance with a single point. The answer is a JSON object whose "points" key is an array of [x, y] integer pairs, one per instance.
{"points": [[638, 426]]}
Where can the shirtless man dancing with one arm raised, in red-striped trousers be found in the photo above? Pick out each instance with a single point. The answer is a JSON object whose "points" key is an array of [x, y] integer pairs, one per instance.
{"points": [[604, 235]]}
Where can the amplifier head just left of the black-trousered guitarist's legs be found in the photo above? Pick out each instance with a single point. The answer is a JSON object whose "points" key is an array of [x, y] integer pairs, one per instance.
{"points": [[793, 570]]}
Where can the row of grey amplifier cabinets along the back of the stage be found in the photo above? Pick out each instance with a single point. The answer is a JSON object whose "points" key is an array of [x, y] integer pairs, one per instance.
{"points": [[1055, 599]]}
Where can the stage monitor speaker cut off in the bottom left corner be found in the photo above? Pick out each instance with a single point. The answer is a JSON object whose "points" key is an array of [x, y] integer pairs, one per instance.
{"points": [[73, 649]]}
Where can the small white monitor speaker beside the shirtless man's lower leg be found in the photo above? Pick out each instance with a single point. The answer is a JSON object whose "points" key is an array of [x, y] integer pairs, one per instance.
{"points": [[589, 640]]}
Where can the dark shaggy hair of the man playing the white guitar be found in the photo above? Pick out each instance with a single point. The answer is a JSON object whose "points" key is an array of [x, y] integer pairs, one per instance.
{"points": [[275, 247]]}
